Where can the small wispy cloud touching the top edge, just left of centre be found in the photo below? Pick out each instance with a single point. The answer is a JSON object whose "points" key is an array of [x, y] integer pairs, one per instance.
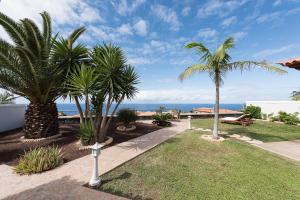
{"points": [[124, 8]]}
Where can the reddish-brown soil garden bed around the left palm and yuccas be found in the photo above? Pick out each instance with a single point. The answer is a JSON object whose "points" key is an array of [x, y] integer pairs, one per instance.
{"points": [[11, 147]]}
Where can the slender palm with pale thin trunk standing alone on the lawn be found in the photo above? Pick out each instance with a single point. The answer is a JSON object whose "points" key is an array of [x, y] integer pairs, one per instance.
{"points": [[217, 64]]}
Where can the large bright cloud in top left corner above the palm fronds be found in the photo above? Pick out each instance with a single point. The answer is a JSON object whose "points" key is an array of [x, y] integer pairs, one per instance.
{"points": [[61, 11]]}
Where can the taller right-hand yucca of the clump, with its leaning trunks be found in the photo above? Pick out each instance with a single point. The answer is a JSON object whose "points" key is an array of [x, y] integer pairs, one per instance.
{"points": [[117, 81]]}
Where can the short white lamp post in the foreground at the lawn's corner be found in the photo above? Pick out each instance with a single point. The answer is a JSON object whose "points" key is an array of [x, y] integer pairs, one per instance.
{"points": [[95, 180]]}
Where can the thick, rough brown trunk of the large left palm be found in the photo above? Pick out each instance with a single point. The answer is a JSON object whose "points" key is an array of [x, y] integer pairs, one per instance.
{"points": [[41, 120]]}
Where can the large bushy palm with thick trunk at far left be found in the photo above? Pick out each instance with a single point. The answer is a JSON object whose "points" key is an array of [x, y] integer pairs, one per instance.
{"points": [[29, 68]]}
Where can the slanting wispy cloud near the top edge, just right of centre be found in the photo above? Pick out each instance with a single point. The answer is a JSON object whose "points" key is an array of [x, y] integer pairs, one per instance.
{"points": [[167, 15]]}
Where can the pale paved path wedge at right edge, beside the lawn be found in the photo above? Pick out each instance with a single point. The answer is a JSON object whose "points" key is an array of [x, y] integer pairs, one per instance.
{"points": [[289, 149]]}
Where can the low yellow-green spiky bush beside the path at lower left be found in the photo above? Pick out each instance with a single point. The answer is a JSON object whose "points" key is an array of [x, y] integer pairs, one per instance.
{"points": [[39, 160]]}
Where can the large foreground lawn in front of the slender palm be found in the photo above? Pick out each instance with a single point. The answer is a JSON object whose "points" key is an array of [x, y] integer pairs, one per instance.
{"points": [[188, 167]]}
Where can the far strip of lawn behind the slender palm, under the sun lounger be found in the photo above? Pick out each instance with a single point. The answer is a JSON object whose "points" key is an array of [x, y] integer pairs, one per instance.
{"points": [[260, 130]]}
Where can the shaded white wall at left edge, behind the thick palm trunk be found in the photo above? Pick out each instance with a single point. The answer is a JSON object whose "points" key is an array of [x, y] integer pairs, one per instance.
{"points": [[11, 116]]}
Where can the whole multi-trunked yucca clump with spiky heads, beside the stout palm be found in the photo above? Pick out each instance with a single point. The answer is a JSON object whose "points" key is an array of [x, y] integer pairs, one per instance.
{"points": [[104, 85]]}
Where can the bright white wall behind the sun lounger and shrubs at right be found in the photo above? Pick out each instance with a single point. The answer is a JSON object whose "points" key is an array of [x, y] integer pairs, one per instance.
{"points": [[269, 107]]}
